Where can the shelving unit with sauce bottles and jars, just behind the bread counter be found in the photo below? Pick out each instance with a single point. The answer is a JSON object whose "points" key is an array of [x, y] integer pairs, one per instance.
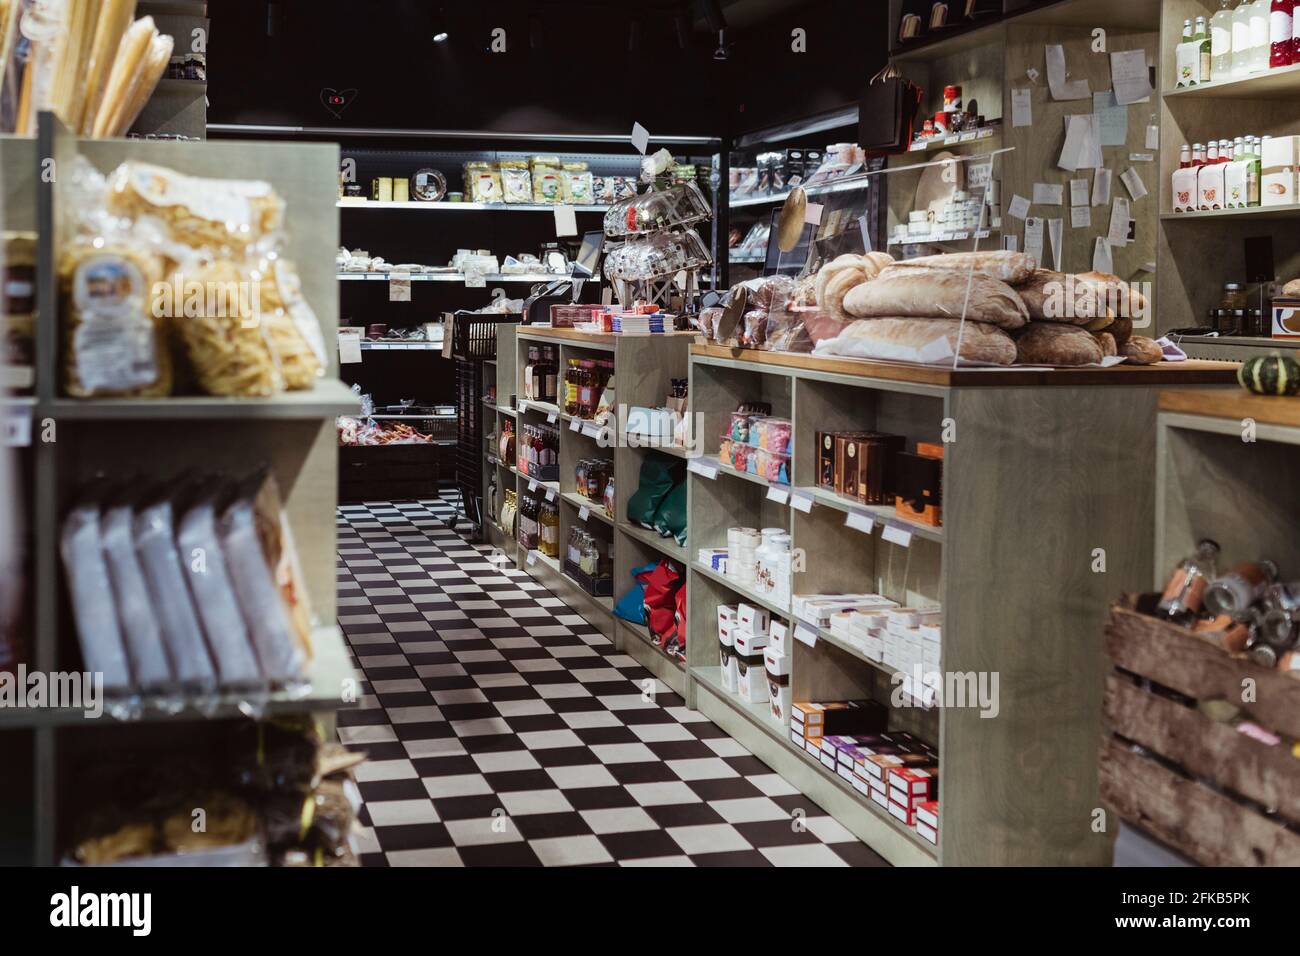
{"points": [[643, 367]]}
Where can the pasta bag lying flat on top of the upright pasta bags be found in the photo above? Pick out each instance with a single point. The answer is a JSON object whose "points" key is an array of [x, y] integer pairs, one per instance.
{"points": [[226, 217]]}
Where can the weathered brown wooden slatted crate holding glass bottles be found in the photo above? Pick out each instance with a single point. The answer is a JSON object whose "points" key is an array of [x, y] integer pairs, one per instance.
{"points": [[1202, 788]]}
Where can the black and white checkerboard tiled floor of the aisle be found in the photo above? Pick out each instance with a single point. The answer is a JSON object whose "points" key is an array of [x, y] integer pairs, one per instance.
{"points": [[505, 730]]}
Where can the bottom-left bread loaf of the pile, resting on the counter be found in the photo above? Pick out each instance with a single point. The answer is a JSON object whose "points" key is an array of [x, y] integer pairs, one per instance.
{"points": [[921, 340]]}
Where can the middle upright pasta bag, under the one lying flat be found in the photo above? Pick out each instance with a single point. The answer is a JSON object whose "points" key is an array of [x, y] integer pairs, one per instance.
{"points": [[215, 312]]}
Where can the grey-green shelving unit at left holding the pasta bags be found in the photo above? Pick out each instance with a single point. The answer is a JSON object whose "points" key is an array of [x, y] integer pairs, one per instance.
{"points": [[294, 434]]}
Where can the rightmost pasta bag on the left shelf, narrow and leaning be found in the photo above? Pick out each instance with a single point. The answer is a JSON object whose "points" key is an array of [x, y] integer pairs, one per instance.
{"points": [[292, 327]]}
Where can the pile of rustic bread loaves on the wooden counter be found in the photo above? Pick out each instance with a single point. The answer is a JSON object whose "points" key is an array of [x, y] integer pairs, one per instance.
{"points": [[1015, 312]]}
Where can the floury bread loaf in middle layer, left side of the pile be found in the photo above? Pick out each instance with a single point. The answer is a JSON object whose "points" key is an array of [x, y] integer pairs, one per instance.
{"points": [[938, 293]]}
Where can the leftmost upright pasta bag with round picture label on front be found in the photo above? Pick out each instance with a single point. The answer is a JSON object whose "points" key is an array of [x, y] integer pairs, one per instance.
{"points": [[114, 341]]}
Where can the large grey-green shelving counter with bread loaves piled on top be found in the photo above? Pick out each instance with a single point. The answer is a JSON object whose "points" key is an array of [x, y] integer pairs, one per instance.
{"points": [[1012, 564]]}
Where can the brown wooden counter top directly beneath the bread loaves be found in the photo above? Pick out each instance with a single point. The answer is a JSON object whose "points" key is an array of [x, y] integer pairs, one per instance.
{"points": [[1172, 374]]}
